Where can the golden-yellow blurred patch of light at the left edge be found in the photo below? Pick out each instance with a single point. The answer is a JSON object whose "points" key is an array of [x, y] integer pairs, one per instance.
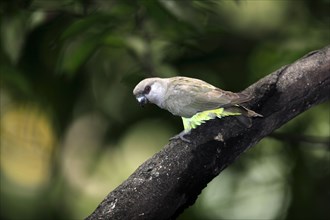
{"points": [[27, 141]]}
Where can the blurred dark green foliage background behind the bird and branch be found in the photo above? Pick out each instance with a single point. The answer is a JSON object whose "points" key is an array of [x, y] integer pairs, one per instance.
{"points": [[71, 130]]}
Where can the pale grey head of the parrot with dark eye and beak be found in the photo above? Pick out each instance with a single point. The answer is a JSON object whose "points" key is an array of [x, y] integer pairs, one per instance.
{"points": [[150, 90]]}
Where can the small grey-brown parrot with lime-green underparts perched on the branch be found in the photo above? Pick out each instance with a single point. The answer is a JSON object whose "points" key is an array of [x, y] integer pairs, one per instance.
{"points": [[194, 100]]}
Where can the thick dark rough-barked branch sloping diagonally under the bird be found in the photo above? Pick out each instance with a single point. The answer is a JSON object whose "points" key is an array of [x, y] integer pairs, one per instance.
{"points": [[171, 180]]}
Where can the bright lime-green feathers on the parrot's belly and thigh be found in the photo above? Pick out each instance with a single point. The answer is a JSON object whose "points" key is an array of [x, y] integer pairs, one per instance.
{"points": [[202, 117]]}
